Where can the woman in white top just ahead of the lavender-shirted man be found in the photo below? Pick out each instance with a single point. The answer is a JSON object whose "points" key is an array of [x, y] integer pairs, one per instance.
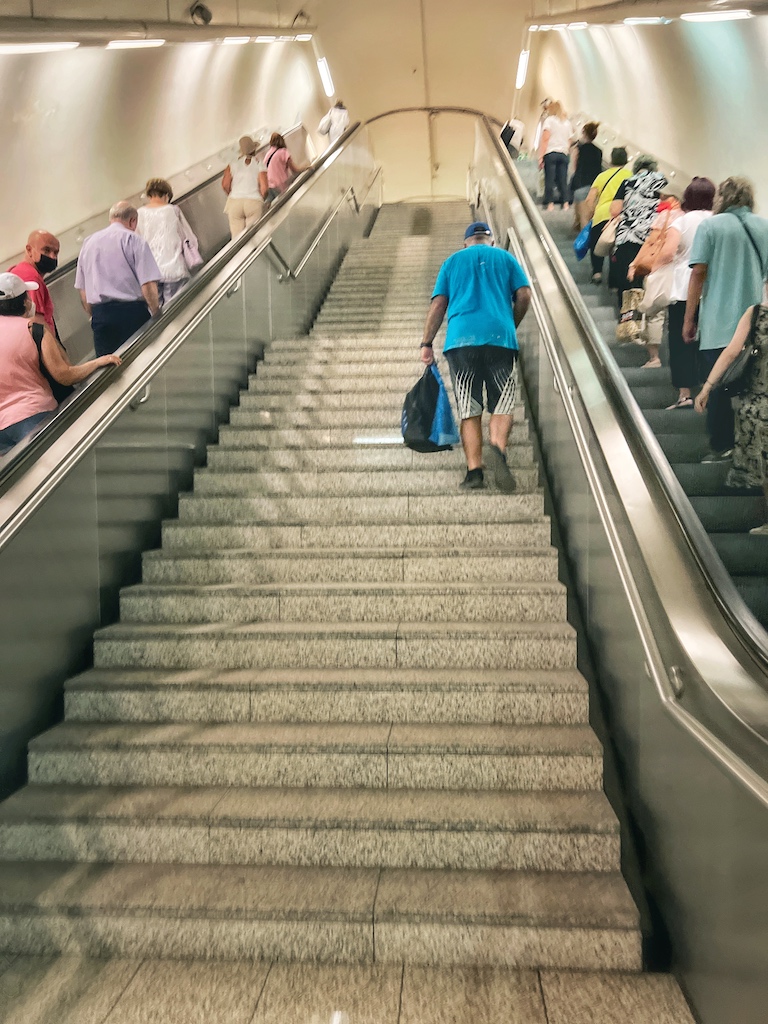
{"points": [[167, 232]]}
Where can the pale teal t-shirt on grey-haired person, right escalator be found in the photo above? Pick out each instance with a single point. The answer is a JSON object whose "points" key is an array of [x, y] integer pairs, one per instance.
{"points": [[735, 276]]}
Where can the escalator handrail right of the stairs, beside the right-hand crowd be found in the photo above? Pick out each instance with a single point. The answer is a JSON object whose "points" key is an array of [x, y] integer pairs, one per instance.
{"points": [[733, 607]]}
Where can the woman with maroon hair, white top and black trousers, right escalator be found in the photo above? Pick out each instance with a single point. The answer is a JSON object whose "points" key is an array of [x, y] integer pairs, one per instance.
{"points": [[697, 206]]}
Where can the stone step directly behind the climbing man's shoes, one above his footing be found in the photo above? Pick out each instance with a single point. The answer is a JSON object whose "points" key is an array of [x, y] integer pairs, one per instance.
{"points": [[257, 482]]}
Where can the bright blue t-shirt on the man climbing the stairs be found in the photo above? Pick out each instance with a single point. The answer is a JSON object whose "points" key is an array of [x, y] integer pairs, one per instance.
{"points": [[481, 283]]}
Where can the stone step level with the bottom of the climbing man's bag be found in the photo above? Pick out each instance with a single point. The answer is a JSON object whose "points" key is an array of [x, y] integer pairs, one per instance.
{"points": [[359, 459]]}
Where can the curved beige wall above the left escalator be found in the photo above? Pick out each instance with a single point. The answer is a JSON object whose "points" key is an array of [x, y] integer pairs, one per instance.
{"points": [[89, 126]]}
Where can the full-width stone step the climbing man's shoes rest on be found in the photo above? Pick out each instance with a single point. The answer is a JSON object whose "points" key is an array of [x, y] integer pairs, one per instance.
{"points": [[476, 507]]}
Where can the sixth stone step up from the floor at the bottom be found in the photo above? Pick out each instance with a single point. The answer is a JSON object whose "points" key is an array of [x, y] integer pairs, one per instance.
{"points": [[344, 603]]}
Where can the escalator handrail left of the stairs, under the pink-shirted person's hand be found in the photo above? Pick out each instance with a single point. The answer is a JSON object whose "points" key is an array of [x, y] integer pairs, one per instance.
{"points": [[29, 450]]}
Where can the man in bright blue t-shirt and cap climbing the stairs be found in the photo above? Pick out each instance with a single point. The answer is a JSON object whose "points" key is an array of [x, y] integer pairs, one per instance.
{"points": [[486, 294]]}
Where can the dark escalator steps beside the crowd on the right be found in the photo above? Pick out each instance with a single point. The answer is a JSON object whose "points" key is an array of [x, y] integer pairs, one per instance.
{"points": [[728, 515]]}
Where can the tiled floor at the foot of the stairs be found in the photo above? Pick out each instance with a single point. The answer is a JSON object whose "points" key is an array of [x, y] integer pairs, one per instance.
{"points": [[76, 991]]}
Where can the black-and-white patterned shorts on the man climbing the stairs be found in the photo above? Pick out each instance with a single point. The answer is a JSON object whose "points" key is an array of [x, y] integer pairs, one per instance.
{"points": [[474, 366]]}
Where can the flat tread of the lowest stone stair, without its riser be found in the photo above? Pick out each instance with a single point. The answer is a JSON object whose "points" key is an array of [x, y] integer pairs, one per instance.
{"points": [[243, 892]]}
